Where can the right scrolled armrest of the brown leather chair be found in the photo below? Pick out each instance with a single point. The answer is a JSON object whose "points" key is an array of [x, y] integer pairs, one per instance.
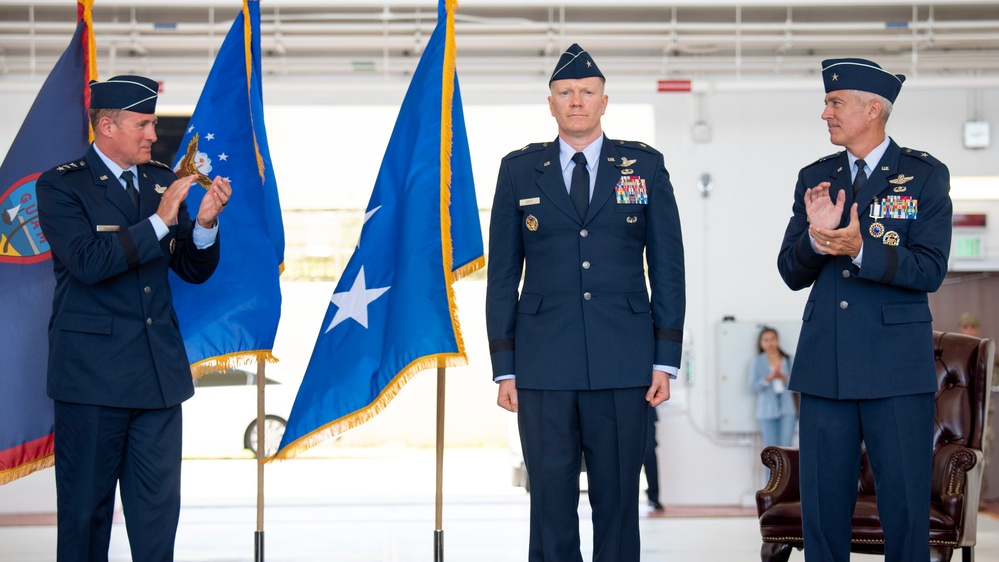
{"points": [[957, 480]]}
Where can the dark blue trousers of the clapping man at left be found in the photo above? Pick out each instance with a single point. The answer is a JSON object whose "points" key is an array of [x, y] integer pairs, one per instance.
{"points": [[99, 447]]}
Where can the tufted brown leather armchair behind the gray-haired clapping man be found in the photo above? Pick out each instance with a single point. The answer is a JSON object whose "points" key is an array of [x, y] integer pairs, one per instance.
{"points": [[964, 371]]}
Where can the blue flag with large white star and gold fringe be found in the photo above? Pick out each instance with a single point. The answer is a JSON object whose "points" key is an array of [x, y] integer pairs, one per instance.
{"points": [[393, 311]]}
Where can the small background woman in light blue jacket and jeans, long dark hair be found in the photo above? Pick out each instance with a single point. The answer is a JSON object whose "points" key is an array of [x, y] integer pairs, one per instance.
{"points": [[769, 373]]}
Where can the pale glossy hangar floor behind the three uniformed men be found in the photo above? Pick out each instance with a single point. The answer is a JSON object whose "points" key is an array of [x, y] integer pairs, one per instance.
{"points": [[378, 506]]}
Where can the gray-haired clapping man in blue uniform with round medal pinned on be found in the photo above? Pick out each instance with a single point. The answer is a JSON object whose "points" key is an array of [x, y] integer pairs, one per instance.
{"points": [[870, 234]]}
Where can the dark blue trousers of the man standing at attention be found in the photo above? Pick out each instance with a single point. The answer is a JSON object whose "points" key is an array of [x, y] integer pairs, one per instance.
{"points": [[558, 428]]}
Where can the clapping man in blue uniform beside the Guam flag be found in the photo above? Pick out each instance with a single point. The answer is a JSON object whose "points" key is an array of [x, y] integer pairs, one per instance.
{"points": [[116, 222]]}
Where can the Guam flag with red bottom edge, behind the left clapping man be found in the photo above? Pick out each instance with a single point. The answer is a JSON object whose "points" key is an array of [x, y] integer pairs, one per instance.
{"points": [[56, 130]]}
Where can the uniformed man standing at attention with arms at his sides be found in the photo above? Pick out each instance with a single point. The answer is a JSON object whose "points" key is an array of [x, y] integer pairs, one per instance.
{"points": [[581, 350]]}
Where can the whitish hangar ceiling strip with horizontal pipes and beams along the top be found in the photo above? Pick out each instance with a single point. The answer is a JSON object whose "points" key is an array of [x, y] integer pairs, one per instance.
{"points": [[516, 39]]}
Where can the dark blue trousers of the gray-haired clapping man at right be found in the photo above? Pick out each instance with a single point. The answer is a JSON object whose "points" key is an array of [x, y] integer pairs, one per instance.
{"points": [[898, 433]]}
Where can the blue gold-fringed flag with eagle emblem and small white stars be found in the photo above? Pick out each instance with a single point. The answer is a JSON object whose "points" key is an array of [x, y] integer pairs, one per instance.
{"points": [[232, 319]]}
